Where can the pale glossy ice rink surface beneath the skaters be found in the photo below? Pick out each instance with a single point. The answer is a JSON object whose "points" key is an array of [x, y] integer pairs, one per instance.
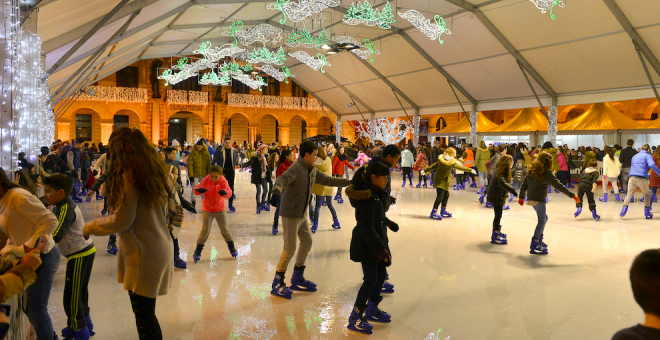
{"points": [[449, 280]]}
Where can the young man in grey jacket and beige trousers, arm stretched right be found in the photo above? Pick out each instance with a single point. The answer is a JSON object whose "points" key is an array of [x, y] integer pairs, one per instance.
{"points": [[292, 192]]}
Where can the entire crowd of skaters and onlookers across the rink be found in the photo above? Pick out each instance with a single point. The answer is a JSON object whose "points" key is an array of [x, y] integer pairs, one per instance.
{"points": [[142, 186]]}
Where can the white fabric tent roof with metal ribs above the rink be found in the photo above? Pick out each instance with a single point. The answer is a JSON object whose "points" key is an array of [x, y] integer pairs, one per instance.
{"points": [[583, 56]]}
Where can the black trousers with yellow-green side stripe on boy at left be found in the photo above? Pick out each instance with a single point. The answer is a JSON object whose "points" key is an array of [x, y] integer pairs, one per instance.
{"points": [[78, 271]]}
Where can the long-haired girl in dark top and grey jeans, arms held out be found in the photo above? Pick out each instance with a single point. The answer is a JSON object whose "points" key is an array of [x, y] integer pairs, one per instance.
{"points": [[535, 187]]}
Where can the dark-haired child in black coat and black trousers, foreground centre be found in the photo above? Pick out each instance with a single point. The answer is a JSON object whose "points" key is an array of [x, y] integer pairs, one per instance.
{"points": [[369, 244]]}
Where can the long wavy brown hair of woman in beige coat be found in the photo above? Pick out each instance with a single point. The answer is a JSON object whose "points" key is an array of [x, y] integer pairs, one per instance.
{"points": [[134, 160]]}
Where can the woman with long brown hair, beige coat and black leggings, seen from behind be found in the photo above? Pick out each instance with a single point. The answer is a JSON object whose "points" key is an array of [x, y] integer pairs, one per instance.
{"points": [[137, 190]]}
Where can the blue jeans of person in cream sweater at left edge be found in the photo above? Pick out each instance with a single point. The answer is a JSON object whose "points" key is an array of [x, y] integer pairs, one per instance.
{"points": [[39, 292]]}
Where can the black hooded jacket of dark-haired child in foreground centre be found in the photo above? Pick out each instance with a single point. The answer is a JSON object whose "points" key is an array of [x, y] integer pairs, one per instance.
{"points": [[370, 234]]}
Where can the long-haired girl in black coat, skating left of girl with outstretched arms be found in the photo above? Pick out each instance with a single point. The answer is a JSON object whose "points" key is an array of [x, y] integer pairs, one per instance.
{"points": [[498, 188]]}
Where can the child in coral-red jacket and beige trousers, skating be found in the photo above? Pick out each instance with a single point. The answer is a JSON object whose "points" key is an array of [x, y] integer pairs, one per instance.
{"points": [[215, 189]]}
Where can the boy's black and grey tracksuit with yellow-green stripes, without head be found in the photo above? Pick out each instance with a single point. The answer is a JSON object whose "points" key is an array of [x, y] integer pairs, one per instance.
{"points": [[80, 255]]}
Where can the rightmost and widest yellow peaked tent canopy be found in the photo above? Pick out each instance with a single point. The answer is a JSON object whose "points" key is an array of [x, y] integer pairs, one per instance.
{"points": [[600, 118]]}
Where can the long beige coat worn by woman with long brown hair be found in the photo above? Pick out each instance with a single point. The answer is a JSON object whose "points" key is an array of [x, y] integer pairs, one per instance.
{"points": [[146, 253]]}
